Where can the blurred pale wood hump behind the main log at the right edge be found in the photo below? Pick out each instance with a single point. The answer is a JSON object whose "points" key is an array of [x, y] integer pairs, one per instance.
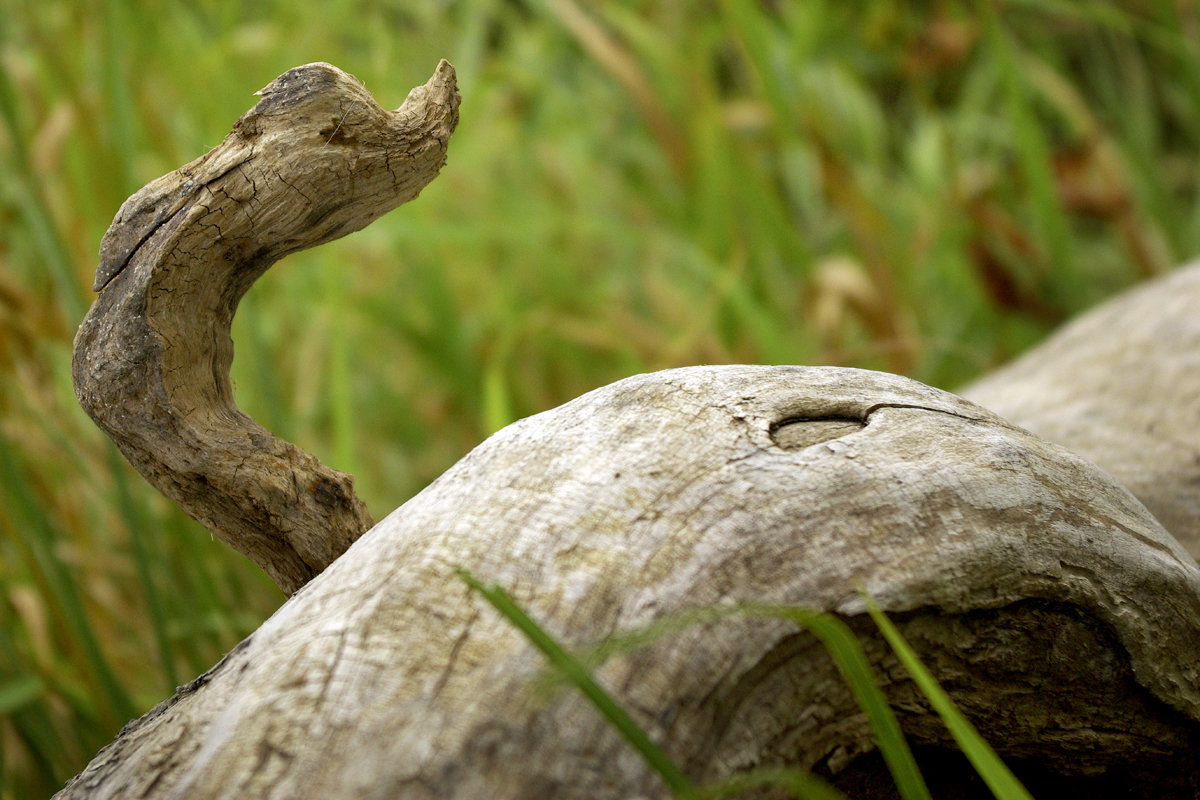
{"points": [[1121, 387]]}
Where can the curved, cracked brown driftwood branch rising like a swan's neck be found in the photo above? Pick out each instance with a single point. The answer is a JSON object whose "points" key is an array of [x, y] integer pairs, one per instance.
{"points": [[315, 160]]}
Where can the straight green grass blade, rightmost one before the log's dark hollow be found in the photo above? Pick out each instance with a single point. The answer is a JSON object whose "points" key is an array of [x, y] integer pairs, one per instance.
{"points": [[987, 763]]}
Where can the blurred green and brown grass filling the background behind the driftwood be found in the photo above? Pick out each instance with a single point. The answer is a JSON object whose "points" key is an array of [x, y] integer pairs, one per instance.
{"points": [[921, 188]]}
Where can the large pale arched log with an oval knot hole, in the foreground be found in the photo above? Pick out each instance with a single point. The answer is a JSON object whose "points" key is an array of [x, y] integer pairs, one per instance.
{"points": [[1063, 618]]}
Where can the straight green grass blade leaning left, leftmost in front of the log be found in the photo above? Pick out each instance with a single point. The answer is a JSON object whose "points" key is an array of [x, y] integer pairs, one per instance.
{"points": [[578, 675]]}
